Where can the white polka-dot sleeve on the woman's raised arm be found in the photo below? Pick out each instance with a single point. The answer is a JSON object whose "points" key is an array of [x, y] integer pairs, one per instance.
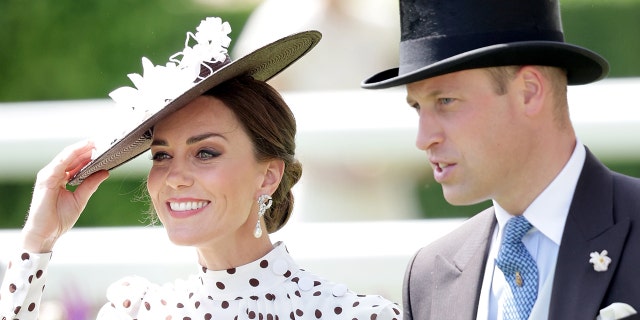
{"points": [[23, 285]]}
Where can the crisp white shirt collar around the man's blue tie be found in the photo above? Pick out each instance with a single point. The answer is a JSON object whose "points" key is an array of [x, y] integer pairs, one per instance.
{"points": [[548, 212]]}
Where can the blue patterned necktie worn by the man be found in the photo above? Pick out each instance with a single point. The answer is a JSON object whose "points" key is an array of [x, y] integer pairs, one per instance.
{"points": [[519, 270]]}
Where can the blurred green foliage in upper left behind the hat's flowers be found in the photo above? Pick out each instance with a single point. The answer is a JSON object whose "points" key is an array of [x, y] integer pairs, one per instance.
{"points": [[66, 49]]}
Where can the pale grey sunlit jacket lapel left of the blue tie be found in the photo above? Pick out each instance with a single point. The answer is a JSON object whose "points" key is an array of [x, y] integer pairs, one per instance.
{"points": [[458, 276]]}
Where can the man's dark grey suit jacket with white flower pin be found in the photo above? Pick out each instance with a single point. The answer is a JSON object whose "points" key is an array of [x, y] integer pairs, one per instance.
{"points": [[443, 280]]}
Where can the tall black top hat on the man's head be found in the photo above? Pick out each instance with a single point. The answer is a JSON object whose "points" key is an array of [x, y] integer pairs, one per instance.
{"points": [[444, 36]]}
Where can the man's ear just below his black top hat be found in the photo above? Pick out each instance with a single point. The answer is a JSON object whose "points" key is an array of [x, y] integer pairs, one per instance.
{"points": [[533, 89]]}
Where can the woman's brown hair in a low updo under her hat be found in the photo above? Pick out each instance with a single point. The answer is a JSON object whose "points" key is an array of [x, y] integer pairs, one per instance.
{"points": [[271, 126]]}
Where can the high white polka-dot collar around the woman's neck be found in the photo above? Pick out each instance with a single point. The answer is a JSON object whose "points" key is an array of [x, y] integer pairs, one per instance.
{"points": [[251, 279]]}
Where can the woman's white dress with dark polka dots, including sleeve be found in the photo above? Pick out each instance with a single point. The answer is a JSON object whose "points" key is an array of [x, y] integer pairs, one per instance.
{"points": [[270, 288]]}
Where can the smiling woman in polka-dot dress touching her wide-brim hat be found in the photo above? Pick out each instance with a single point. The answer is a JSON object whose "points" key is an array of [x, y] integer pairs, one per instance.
{"points": [[223, 168]]}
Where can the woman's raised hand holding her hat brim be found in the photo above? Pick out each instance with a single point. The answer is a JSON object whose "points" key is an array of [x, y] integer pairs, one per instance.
{"points": [[54, 209]]}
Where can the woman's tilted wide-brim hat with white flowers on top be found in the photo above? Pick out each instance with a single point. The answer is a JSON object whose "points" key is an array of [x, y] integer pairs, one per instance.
{"points": [[165, 89]]}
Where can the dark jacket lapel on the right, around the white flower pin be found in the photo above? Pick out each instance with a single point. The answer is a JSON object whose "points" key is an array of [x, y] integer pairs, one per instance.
{"points": [[578, 289]]}
